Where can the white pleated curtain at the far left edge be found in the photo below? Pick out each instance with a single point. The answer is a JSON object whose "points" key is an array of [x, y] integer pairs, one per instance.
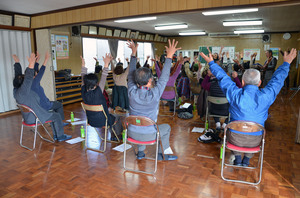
{"points": [[11, 42]]}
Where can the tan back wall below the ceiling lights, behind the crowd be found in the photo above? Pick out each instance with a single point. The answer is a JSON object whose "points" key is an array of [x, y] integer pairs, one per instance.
{"points": [[245, 42]]}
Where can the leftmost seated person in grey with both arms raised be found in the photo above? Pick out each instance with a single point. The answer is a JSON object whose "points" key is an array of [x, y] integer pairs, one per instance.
{"points": [[24, 94]]}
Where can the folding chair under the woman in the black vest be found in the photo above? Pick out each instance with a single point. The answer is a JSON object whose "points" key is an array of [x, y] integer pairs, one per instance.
{"points": [[97, 108]]}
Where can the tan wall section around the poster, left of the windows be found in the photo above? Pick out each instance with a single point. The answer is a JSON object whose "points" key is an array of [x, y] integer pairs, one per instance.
{"points": [[75, 51]]}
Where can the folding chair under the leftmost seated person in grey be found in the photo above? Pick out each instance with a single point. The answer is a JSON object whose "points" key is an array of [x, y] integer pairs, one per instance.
{"points": [[25, 109]]}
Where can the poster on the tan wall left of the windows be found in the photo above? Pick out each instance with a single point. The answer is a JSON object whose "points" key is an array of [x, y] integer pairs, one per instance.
{"points": [[62, 46]]}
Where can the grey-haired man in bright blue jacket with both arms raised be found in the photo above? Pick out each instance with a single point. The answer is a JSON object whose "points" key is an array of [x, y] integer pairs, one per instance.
{"points": [[250, 103]]}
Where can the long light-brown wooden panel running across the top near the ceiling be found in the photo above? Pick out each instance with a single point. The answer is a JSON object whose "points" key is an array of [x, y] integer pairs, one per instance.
{"points": [[132, 8]]}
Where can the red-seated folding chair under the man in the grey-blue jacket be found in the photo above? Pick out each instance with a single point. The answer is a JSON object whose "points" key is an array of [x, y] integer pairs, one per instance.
{"points": [[142, 122]]}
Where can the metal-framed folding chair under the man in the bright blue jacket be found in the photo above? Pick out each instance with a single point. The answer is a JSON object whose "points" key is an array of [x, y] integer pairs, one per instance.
{"points": [[257, 127]]}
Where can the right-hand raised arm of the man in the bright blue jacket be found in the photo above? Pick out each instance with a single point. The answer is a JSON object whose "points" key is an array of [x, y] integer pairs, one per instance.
{"points": [[277, 81]]}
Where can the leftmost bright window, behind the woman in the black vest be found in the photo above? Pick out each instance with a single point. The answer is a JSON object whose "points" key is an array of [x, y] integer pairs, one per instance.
{"points": [[94, 48]]}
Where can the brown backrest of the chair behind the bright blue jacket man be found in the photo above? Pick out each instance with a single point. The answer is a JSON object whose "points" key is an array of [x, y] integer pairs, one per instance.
{"points": [[246, 126]]}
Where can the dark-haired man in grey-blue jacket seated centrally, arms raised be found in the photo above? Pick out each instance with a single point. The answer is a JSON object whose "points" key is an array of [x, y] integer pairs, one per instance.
{"points": [[144, 101]]}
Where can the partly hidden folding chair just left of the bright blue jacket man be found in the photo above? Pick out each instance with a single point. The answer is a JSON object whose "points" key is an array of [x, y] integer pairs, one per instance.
{"points": [[214, 100]]}
